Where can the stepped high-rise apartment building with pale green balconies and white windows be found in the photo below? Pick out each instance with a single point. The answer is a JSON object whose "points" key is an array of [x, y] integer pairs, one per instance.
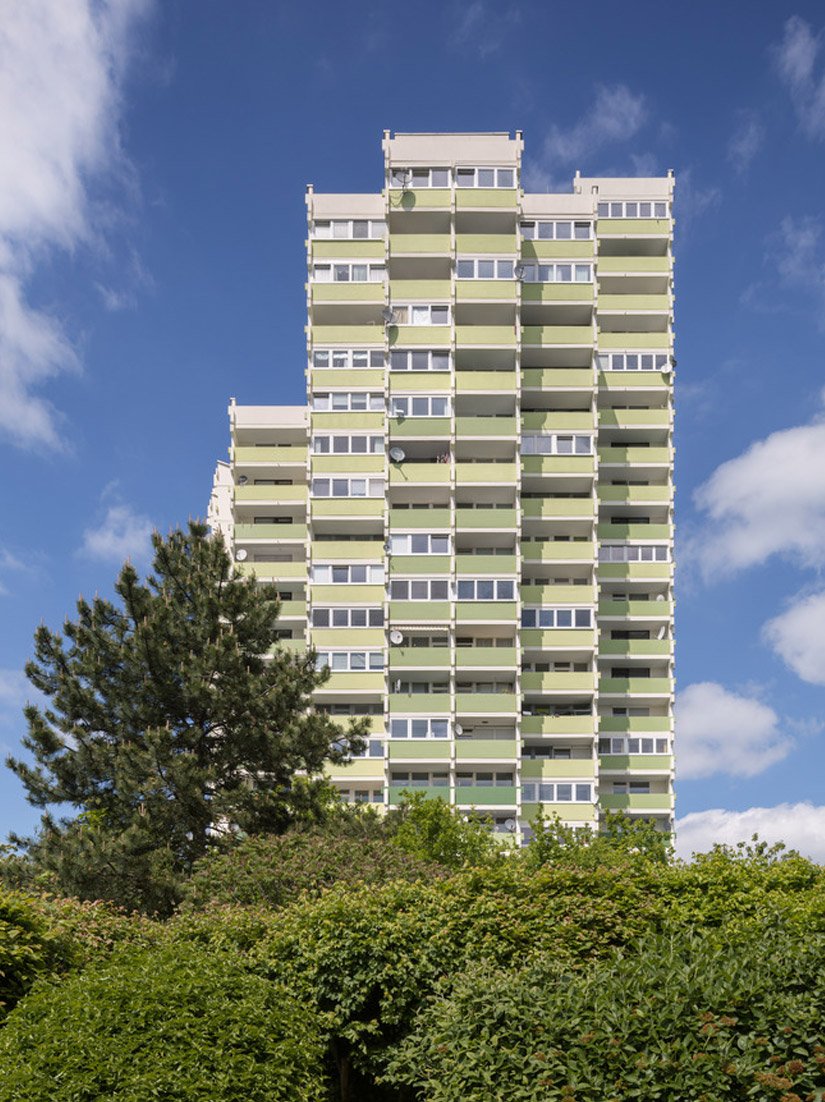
{"points": [[472, 518]]}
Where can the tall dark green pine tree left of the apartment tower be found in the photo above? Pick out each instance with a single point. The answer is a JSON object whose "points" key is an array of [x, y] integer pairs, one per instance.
{"points": [[173, 720]]}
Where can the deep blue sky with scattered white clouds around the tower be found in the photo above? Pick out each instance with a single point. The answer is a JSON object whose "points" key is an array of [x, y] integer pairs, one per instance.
{"points": [[154, 160]]}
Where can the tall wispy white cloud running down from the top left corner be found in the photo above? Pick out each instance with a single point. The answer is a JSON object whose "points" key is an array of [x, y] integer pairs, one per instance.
{"points": [[62, 67]]}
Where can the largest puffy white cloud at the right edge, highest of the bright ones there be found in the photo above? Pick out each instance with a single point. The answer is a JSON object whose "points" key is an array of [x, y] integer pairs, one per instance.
{"points": [[768, 501]]}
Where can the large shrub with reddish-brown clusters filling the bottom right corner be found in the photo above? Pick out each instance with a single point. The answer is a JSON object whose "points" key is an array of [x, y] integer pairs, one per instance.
{"points": [[682, 1017]]}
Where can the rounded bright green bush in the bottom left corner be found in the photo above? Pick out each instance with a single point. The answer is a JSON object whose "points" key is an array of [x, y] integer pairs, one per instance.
{"points": [[175, 1023]]}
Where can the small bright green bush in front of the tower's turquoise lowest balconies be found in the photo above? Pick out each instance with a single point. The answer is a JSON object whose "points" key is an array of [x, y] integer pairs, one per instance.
{"points": [[431, 830]]}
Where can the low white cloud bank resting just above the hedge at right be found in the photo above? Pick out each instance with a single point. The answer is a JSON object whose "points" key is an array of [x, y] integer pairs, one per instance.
{"points": [[800, 826]]}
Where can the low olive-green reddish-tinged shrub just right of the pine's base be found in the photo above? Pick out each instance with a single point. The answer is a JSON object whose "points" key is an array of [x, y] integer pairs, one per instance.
{"points": [[276, 870]]}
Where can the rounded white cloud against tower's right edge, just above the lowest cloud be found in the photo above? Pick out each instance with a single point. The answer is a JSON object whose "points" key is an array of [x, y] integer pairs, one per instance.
{"points": [[721, 732]]}
